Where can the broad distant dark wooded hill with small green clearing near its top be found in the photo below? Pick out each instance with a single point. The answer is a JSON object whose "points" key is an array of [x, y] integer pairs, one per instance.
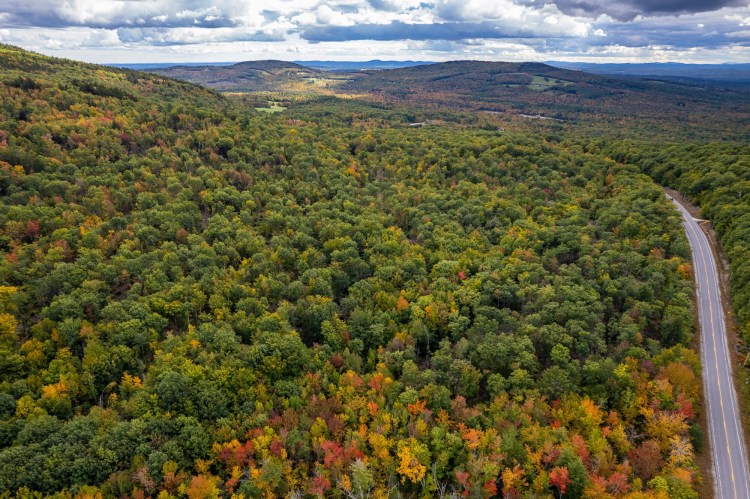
{"points": [[593, 101]]}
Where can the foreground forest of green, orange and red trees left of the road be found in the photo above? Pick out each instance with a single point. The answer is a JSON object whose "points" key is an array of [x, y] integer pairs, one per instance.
{"points": [[202, 300]]}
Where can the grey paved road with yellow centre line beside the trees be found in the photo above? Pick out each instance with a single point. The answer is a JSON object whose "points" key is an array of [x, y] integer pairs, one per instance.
{"points": [[725, 428]]}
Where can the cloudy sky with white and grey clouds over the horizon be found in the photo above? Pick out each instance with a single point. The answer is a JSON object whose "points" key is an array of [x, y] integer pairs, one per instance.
{"points": [[149, 31]]}
